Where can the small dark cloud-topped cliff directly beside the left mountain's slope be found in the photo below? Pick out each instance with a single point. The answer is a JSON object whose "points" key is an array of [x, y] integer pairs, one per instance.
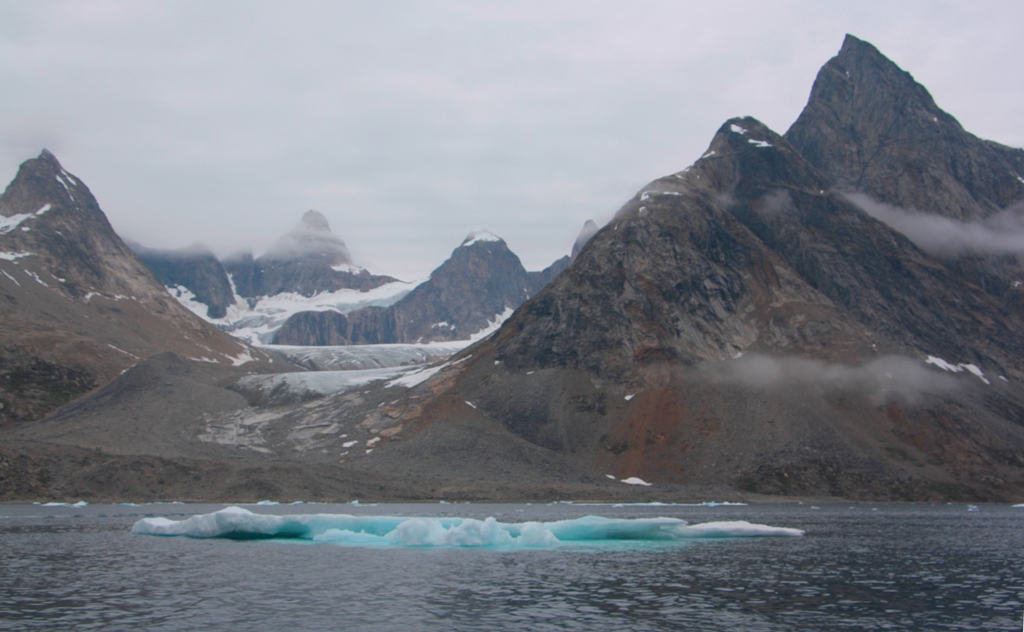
{"points": [[195, 269]]}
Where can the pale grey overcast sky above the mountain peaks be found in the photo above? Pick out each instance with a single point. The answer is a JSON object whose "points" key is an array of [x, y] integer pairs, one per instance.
{"points": [[410, 124]]}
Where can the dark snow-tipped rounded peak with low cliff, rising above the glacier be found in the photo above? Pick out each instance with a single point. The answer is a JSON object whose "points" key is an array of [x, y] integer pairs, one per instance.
{"points": [[481, 281]]}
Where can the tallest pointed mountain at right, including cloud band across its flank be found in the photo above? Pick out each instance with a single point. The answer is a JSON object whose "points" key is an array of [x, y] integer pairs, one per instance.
{"points": [[878, 134]]}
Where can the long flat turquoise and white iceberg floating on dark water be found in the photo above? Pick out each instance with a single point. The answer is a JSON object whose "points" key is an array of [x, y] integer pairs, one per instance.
{"points": [[239, 524]]}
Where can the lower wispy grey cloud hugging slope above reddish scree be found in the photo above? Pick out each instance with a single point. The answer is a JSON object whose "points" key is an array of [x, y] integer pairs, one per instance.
{"points": [[890, 377]]}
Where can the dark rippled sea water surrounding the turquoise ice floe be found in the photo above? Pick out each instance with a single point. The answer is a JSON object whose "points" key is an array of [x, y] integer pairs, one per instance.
{"points": [[859, 567]]}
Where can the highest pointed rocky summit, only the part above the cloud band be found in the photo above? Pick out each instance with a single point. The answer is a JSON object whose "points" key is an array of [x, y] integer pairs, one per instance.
{"points": [[874, 130]]}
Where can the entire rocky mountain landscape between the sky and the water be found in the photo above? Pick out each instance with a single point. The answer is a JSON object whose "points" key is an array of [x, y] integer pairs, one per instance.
{"points": [[835, 312]]}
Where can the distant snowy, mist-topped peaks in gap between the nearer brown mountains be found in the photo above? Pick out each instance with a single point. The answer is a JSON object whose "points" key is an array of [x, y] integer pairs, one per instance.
{"points": [[307, 291]]}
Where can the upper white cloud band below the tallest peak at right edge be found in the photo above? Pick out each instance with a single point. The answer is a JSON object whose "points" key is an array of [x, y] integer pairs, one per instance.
{"points": [[943, 237]]}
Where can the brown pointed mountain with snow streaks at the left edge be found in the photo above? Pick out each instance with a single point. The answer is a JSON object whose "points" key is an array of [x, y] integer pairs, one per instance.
{"points": [[77, 307]]}
